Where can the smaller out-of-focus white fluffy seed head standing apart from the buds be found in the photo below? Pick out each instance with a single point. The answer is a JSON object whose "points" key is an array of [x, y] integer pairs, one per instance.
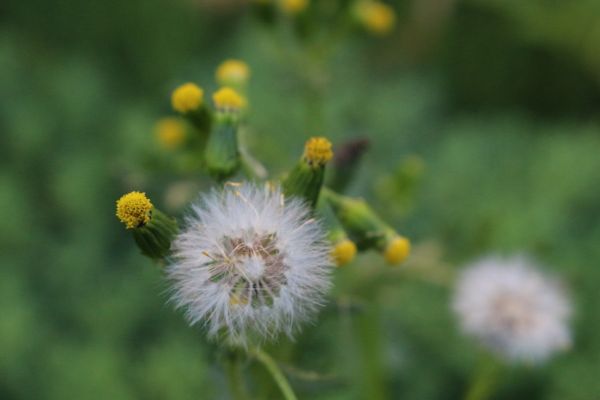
{"points": [[513, 309]]}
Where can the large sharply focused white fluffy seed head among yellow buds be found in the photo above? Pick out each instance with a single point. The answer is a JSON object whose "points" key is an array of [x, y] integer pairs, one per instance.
{"points": [[249, 264]]}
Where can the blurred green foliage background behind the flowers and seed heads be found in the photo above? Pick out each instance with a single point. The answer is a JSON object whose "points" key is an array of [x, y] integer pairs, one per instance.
{"points": [[494, 104]]}
